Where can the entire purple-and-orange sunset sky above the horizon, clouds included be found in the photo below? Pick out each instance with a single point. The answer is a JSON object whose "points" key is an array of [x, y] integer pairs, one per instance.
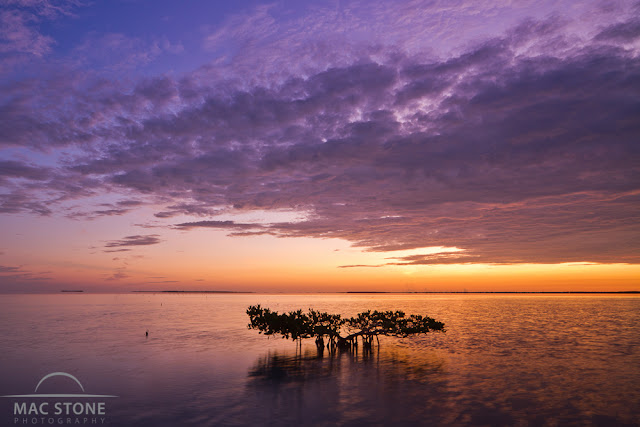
{"points": [[319, 146]]}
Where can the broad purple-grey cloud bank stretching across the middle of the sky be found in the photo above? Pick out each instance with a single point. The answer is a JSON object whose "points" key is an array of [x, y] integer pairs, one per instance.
{"points": [[519, 148]]}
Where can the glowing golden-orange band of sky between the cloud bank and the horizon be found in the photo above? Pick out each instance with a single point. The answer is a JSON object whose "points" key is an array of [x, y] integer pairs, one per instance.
{"points": [[211, 260]]}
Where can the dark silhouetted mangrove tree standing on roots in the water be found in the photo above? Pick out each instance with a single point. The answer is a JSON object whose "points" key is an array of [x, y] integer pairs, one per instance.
{"points": [[297, 325]]}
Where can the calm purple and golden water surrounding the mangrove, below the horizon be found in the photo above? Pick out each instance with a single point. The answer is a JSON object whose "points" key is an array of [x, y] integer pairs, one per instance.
{"points": [[505, 360]]}
